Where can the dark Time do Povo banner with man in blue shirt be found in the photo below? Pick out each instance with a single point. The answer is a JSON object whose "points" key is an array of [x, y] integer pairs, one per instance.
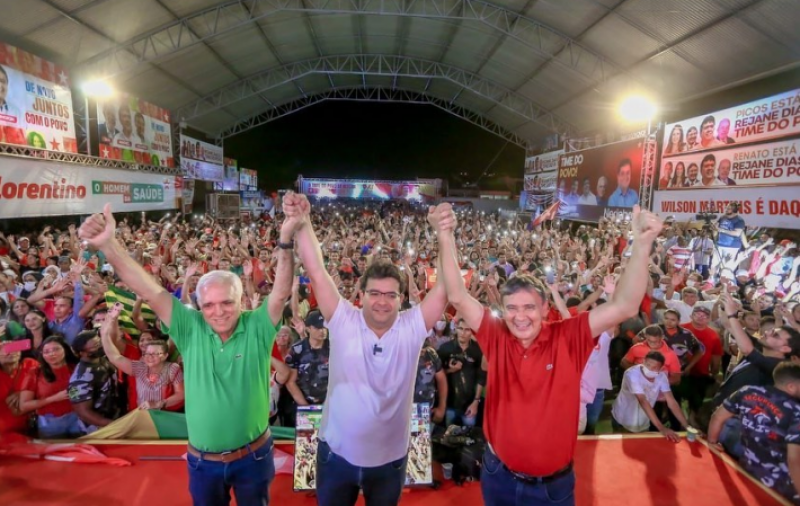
{"points": [[594, 180]]}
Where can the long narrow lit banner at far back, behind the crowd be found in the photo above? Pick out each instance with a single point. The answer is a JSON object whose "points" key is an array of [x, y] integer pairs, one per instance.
{"points": [[368, 189]]}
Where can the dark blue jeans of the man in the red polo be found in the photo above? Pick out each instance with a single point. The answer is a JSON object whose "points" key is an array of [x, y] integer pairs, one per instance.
{"points": [[501, 488]]}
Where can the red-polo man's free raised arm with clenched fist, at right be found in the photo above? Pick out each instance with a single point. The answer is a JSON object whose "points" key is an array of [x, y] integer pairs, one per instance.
{"points": [[632, 285]]}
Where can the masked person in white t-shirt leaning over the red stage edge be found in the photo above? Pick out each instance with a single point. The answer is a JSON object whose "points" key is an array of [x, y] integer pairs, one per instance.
{"points": [[642, 385]]}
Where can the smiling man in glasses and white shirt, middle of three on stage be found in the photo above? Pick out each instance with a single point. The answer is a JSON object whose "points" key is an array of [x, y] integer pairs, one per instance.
{"points": [[374, 354]]}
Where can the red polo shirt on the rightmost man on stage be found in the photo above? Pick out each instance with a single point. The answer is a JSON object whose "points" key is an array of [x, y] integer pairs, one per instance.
{"points": [[531, 417]]}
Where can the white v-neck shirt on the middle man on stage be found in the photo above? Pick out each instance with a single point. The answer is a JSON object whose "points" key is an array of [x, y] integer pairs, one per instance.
{"points": [[367, 414]]}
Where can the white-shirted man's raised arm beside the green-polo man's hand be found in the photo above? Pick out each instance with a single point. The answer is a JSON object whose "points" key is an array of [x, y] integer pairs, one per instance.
{"points": [[311, 255]]}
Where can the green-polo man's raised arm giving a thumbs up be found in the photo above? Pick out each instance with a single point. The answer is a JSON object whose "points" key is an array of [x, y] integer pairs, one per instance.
{"points": [[98, 231]]}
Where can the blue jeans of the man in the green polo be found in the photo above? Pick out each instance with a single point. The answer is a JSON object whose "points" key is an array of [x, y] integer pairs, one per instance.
{"points": [[210, 482]]}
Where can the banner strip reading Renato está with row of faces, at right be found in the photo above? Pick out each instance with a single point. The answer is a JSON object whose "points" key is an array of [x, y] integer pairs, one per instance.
{"points": [[768, 164]]}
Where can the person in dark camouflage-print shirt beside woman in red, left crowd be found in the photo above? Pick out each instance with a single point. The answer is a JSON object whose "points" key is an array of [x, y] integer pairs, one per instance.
{"points": [[93, 386]]}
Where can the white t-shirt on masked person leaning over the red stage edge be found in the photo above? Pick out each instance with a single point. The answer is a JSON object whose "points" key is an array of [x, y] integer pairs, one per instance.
{"points": [[626, 409]]}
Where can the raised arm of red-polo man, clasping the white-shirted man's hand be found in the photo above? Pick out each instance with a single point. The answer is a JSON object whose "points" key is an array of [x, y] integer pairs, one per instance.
{"points": [[443, 220]]}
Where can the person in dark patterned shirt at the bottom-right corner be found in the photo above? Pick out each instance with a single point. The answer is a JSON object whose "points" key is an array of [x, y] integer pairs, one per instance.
{"points": [[770, 421]]}
